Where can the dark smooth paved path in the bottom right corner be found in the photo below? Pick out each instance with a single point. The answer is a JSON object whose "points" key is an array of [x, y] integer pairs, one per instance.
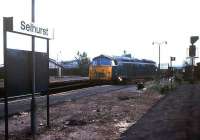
{"points": [[175, 117]]}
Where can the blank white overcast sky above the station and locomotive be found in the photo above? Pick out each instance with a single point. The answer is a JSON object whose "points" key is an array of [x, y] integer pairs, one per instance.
{"points": [[109, 27]]}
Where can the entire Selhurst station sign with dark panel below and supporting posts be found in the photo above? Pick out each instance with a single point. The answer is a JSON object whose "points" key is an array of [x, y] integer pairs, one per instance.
{"points": [[29, 67]]}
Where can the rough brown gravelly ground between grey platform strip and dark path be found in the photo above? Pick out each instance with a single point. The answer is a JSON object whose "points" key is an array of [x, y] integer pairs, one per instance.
{"points": [[100, 117]]}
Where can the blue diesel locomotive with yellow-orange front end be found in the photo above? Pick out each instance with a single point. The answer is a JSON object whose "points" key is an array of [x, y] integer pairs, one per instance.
{"points": [[121, 69]]}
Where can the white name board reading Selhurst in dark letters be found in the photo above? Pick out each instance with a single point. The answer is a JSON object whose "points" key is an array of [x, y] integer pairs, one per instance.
{"points": [[30, 28]]}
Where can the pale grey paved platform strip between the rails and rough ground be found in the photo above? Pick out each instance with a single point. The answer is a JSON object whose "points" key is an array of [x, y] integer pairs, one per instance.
{"points": [[20, 105]]}
